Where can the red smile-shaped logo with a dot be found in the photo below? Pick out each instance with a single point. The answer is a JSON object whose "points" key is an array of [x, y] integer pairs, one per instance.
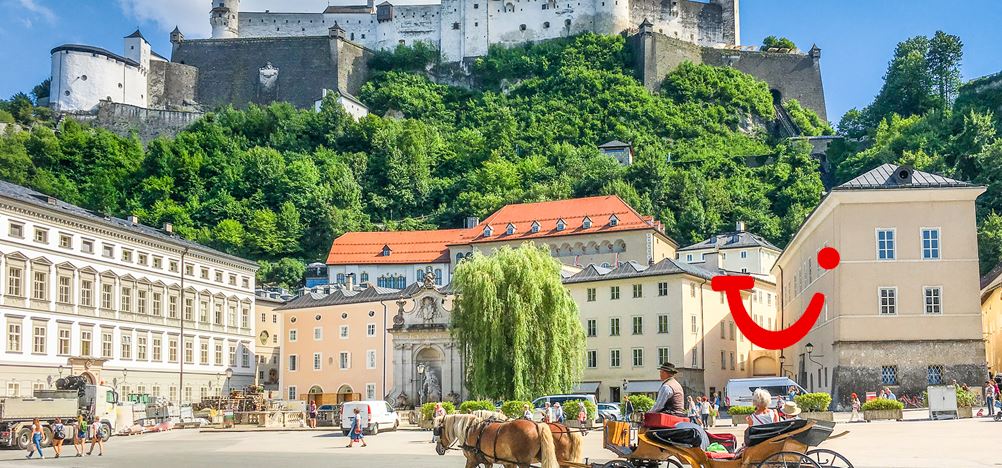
{"points": [[828, 259]]}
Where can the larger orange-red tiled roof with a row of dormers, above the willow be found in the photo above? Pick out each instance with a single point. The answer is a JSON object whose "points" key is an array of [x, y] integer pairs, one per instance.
{"points": [[573, 212]]}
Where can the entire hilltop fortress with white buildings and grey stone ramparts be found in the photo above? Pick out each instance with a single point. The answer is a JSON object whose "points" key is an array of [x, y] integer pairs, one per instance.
{"points": [[264, 58]]}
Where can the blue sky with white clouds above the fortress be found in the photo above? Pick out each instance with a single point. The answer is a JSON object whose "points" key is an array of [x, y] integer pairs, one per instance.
{"points": [[857, 38]]}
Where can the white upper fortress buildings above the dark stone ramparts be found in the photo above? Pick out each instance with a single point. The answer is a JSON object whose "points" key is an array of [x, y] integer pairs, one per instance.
{"points": [[466, 29]]}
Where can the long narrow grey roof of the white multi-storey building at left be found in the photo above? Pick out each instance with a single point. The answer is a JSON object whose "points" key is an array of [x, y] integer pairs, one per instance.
{"points": [[40, 200]]}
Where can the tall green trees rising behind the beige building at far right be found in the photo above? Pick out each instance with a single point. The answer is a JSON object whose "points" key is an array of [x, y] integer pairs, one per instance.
{"points": [[914, 121]]}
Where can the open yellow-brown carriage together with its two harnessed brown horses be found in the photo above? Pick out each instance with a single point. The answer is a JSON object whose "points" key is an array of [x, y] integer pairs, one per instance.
{"points": [[786, 444]]}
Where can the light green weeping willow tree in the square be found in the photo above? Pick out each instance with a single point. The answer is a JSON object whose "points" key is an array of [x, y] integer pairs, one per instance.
{"points": [[518, 326]]}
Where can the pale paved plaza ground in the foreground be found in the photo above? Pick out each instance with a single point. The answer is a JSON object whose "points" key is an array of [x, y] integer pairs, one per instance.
{"points": [[910, 443]]}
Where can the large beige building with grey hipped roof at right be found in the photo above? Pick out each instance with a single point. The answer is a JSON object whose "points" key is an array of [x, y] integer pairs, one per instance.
{"points": [[902, 307]]}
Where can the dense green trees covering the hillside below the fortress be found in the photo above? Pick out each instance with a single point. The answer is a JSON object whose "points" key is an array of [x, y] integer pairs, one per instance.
{"points": [[278, 185]]}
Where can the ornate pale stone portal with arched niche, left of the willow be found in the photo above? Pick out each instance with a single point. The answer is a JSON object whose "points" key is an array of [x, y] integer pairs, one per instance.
{"points": [[427, 365]]}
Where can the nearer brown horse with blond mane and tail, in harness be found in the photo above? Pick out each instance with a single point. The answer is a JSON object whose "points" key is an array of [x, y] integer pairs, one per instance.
{"points": [[514, 444]]}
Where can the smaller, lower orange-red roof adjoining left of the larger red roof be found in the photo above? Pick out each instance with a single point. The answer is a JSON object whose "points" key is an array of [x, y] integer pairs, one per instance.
{"points": [[407, 247]]}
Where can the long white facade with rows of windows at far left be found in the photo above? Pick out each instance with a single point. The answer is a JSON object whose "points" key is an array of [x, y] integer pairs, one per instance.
{"points": [[85, 294]]}
